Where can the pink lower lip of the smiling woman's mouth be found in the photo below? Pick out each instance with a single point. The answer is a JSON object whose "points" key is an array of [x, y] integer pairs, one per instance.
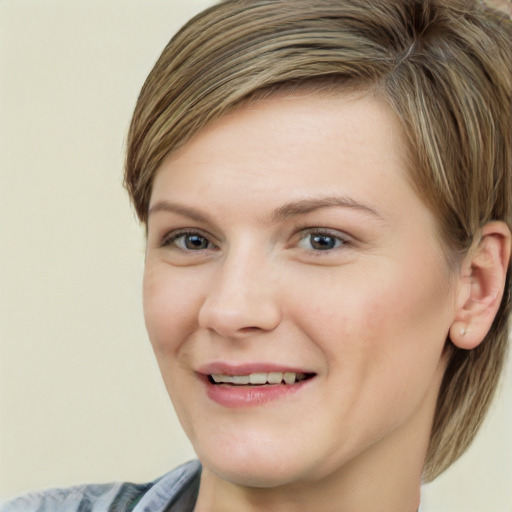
{"points": [[250, 396]]}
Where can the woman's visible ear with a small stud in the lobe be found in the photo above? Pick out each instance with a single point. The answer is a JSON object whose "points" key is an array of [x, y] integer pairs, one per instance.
{"points": [[482, 283]]}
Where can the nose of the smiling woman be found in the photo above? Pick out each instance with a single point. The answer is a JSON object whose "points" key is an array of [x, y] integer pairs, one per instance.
{"points": [[241, 299]]}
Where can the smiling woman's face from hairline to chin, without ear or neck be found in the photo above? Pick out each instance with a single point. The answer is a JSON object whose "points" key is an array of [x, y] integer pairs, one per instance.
{"points": [[290, 260]]}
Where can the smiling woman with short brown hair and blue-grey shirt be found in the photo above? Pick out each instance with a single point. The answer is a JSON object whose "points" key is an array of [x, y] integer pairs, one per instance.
{"points": [[326, 188]]}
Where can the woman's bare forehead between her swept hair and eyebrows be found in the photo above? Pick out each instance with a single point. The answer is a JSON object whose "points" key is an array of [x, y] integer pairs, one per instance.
{"points": [[298, 140]]}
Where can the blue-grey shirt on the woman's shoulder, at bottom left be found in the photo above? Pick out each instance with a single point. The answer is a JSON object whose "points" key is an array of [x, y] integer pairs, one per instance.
{"points": [[119, 497]]}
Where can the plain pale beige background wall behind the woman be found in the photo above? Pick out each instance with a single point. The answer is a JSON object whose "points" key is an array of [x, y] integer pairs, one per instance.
{"points": [[81, 398]]}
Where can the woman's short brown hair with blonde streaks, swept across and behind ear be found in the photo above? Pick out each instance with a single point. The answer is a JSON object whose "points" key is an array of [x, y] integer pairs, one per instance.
{"points": [[445, 67]]}
